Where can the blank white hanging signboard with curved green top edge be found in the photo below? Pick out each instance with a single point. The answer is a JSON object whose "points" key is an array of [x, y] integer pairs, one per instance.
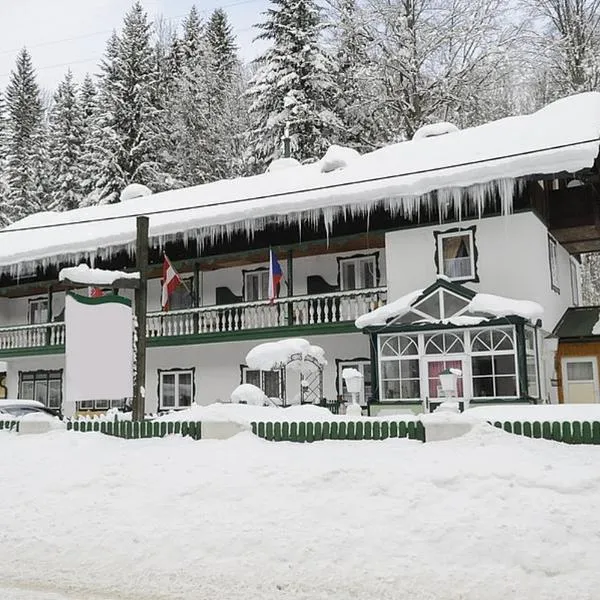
{"points": [[99, 348]]}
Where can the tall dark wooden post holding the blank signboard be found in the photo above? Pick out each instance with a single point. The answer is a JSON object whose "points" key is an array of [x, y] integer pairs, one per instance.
{"points": [[141, 306]]}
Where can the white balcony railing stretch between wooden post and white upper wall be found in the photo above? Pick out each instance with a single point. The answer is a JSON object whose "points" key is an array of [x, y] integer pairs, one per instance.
{"points": [[336, 307]]}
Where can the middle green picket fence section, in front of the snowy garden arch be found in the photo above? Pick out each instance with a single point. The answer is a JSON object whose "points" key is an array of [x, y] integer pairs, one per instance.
{"points": [[338, 430]]}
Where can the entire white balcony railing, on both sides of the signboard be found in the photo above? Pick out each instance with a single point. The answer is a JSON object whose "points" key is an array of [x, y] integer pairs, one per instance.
{"points": [[337, 307]]}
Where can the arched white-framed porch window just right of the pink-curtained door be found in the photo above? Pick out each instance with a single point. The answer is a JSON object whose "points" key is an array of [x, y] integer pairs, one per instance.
{"points": [[493, 363]]}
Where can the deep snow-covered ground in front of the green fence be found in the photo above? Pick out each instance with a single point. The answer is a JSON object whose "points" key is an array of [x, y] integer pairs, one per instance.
{"points": [[489, 515]]}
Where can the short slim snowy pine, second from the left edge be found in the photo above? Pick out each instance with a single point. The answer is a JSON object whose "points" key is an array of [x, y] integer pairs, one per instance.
{"points": [[65, 147]]}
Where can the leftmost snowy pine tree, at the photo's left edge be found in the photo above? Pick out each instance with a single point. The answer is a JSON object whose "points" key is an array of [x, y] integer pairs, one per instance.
{"points": [[25, 142]]}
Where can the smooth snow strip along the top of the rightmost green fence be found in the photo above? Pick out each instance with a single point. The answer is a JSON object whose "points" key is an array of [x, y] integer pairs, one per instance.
{"points": [[537, 412]]}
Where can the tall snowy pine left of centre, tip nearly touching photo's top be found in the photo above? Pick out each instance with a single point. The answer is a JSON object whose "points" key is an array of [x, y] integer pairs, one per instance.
{"points": [[129, 115]]}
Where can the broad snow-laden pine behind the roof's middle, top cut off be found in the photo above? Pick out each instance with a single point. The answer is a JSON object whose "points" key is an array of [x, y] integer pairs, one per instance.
{"points": [[292, 86]]}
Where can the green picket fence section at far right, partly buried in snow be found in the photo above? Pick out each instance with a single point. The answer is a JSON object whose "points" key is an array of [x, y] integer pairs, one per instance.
{"points": [[570, 432]]}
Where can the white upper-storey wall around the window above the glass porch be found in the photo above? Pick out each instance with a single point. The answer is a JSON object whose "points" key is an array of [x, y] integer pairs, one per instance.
{"points": [[512, 261]]}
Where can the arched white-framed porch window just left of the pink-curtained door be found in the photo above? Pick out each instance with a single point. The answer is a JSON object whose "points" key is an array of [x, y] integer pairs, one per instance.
{"points": [[399, 368]]}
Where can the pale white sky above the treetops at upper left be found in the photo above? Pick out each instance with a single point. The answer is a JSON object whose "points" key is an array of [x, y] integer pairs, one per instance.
{"points": [[73, 33]]}
